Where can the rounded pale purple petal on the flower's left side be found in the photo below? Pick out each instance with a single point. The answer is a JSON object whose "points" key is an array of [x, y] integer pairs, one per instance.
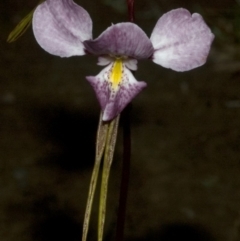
{"points": [[61, 26]]}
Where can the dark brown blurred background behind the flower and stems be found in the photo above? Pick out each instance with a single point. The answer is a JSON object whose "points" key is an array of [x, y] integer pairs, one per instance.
{"points": [[185, 170]]}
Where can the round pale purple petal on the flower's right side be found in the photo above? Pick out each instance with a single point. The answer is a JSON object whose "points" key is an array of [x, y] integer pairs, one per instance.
{"points": [[181, 41]]}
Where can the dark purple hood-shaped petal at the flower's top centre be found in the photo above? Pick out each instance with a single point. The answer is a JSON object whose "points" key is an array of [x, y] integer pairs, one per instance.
{"points": [[122, 39]]}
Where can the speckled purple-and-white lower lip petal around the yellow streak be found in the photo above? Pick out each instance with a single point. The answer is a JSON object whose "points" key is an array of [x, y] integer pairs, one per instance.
{"points": [[114, 101]]}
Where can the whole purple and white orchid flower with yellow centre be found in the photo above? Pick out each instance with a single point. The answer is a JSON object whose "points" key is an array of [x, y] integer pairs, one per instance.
{"points": [[179, 41]]}
